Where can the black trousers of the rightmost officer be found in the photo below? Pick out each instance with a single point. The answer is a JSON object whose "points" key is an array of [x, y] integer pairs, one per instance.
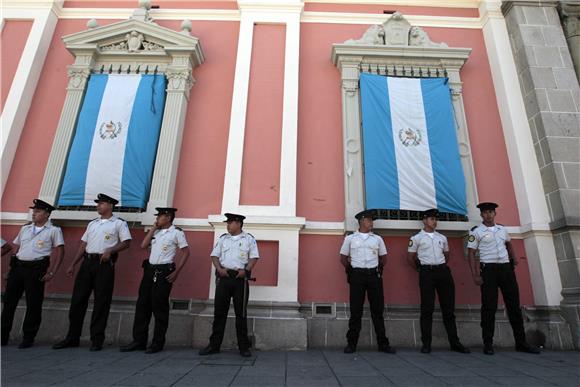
{"points": [[500, 276]]}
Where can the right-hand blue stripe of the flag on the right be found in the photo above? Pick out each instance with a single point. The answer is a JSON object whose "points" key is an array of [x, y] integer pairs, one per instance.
{"points": [[447, 170]]}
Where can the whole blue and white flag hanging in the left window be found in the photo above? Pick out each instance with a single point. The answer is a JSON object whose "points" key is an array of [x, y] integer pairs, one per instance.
{"points": [[116, 139]]}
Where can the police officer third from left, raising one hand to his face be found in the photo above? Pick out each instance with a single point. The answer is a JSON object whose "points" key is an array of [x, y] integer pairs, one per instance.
{"points": [[159, 274]]}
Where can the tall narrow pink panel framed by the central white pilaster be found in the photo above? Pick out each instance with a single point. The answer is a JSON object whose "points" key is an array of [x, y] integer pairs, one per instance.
{"points": [[260, 183]]}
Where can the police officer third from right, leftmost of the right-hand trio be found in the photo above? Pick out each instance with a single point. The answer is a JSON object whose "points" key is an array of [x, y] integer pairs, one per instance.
{"points": [[364, 254]]}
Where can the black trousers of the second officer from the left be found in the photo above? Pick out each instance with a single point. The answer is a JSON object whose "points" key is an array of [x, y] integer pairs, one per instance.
{"points": [[97, 277]]}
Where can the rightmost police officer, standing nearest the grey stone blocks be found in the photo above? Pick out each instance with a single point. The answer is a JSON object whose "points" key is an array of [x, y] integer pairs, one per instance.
{"points": [[493, 269]]}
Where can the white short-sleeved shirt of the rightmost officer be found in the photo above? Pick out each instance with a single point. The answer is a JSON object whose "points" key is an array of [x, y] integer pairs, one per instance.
{"points": [[490, 241]]}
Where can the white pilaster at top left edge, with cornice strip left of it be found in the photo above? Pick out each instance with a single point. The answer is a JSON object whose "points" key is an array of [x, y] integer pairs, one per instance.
{"points": [[27, 74]]}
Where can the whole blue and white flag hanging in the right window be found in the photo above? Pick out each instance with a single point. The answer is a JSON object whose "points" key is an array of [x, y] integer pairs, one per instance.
{"points": [[411, 154]]}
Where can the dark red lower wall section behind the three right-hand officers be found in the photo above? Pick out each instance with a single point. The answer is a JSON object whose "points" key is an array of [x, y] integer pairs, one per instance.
{"points": [[319, 262]]}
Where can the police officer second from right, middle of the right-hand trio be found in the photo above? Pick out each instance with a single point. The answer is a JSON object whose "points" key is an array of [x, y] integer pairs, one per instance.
{"points": [[429, 252]]}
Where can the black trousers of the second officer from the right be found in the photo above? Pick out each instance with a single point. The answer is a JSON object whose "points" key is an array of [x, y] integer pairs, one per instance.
{"points": [[437, 279]]}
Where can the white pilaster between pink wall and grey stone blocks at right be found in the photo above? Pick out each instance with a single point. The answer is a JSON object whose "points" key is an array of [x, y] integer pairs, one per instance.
{"points": [[532, 207]]}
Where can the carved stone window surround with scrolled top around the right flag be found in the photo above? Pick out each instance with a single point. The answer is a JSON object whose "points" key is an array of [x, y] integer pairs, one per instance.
{"points": [[395, 48]]}
